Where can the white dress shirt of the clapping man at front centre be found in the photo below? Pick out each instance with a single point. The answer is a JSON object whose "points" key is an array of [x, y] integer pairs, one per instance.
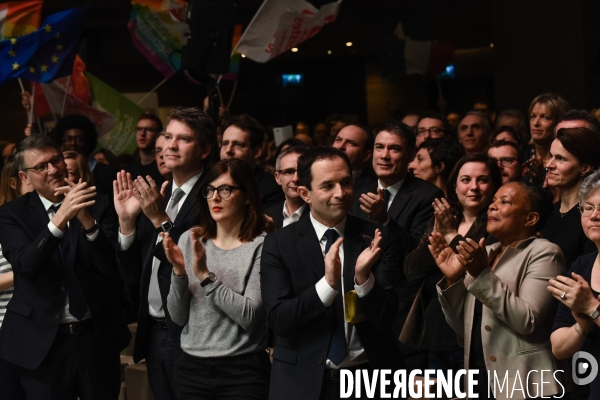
{"points": [[356, 354]]}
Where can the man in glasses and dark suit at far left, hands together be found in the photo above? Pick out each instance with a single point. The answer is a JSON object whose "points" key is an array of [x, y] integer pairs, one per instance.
{"points": [[64, 325]]}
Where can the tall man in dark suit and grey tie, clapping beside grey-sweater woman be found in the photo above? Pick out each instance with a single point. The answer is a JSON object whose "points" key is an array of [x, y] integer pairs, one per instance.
{"points": [[189, 138]]}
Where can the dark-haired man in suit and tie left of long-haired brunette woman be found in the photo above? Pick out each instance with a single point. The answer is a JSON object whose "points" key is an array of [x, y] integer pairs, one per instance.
{"points": [[403, 203]]}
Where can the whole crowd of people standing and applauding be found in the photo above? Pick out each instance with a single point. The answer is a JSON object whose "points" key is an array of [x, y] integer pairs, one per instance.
{"points": [[259, 270]]}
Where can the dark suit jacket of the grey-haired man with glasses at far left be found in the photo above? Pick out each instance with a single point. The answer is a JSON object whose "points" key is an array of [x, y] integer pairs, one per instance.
{"points": [[33, 314]]}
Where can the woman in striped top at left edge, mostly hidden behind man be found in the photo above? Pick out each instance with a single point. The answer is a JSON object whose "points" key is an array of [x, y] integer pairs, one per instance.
{"points": [[11, 187]]}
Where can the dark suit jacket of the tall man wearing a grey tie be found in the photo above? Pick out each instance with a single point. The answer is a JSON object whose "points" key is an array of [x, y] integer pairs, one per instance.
{"points": [[135, 266]]}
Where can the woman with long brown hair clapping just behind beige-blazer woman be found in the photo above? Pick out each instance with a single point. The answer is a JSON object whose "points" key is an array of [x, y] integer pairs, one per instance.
{"points": [[471, 186]]}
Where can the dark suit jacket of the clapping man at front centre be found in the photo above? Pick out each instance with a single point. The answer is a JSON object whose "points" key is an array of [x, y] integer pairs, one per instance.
{"points": [[292, 263]]}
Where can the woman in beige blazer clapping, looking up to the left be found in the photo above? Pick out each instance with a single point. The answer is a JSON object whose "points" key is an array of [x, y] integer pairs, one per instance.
{"points": [[495, 297]]}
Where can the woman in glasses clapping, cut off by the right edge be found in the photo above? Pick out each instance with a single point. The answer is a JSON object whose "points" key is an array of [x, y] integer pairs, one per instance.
{"points": [[577, 319]]}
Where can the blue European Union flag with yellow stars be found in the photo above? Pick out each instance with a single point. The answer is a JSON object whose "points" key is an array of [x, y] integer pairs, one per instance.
{"points": [[47, 53]]}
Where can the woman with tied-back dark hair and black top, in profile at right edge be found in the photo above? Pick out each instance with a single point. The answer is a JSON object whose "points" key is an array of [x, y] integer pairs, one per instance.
{"points": [[574, 154]]}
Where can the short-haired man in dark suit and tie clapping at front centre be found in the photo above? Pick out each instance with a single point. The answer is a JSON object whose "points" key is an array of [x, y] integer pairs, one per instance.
{"points": [[305, 289]]}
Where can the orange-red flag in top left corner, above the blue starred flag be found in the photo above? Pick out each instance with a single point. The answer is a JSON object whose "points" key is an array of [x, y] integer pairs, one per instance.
{"points": [[18, 18]]}
